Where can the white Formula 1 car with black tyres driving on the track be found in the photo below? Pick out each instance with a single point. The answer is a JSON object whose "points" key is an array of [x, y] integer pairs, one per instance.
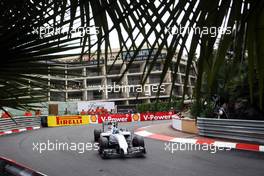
{"points": [[118, 142]]}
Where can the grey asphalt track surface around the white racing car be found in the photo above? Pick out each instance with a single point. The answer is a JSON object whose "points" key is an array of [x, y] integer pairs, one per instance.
{"points": [[157, 162]]}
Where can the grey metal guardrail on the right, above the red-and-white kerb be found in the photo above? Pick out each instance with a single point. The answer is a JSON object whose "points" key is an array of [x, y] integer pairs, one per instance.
{"points": [[246, 130]]}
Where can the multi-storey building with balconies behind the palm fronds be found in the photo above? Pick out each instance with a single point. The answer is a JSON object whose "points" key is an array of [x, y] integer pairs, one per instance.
{"points": [[90, 82]]}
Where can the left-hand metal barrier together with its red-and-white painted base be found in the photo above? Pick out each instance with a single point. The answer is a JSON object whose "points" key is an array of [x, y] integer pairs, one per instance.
{"points": [[18, 124]]}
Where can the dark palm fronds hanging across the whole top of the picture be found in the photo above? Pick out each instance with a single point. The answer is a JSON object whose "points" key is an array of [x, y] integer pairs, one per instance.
{"points": [[137, 24]]}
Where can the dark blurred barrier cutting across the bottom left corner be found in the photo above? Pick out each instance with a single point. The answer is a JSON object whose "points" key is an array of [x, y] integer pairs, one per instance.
{"points": [[9, 167]]}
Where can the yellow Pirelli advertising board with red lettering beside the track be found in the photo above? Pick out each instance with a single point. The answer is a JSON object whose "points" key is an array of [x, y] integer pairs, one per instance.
{"points": [[67, 120]]}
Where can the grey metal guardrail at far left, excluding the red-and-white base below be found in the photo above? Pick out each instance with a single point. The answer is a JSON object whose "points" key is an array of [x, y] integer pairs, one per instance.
{"points": [[19, 122]]}
